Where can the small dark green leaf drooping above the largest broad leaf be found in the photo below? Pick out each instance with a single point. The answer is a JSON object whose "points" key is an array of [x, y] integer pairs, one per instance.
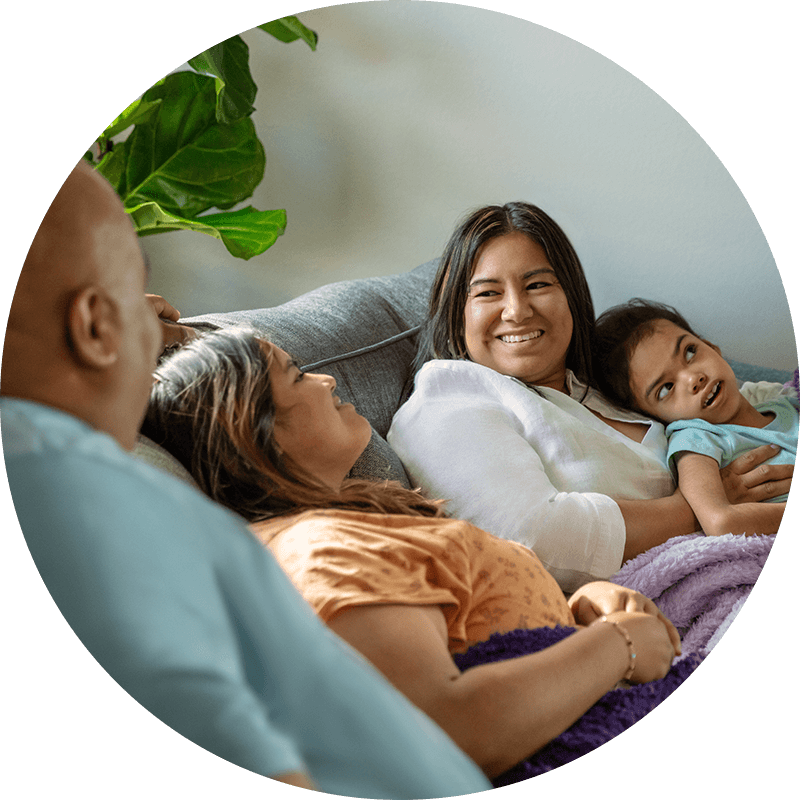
{"points": [[228, 63]]}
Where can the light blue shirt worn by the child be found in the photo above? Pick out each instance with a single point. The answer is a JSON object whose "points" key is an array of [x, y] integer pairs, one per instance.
{"points": [[727, 442]]}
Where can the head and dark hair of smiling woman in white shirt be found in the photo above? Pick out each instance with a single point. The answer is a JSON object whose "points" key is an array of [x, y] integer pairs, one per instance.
{"points": [[480, 288]]}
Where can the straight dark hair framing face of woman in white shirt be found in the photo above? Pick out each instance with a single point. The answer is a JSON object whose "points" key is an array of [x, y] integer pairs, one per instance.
{"points": [[442, 335]]}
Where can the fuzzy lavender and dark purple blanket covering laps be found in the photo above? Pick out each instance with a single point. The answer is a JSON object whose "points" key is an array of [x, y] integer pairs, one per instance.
{"points": [[700, 583]]}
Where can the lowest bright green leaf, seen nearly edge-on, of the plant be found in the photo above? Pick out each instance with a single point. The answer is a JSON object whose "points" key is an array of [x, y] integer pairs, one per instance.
{"points": [[245, 233]]}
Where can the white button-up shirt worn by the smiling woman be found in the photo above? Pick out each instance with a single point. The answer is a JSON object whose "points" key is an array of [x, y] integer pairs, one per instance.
{"points": [[530, 464]]}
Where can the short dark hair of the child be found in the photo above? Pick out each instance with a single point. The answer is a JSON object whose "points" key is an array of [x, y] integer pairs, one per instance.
{"points": [[617, 333]]}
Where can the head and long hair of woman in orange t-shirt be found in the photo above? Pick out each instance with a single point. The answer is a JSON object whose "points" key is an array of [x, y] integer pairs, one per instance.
{"points": [[260, 436]]}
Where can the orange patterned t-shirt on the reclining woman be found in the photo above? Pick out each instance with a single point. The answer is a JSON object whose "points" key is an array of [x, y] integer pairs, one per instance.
{"points": [[484, 585]]}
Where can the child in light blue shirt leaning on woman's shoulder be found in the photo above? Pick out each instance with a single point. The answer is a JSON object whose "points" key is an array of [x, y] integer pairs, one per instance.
{"points": [[649, 359]]}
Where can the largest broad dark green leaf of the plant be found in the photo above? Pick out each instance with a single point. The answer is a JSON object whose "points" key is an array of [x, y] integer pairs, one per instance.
{"points": [[182, 158]]}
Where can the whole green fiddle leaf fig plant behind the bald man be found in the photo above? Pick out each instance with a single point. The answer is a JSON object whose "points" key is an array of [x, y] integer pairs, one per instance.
{"points": [[194, 148]]}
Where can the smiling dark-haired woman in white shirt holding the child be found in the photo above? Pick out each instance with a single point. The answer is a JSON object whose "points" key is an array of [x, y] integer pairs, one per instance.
{"points": [[507, 421]]}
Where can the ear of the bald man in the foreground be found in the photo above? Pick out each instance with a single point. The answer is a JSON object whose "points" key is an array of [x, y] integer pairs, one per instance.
{"points": [[93, 329]]}
